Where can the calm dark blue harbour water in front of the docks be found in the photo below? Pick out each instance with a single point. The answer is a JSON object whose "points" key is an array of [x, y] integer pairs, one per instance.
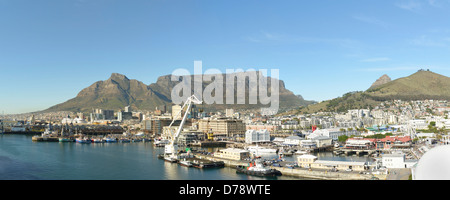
{"points": [[23, 159]]}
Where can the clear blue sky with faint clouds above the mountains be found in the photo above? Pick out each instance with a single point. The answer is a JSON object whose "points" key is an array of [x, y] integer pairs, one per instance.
{"points": [[51, 49]]}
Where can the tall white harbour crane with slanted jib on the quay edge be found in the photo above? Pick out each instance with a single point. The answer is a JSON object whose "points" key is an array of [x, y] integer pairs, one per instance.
{"points": [[171, 149]]}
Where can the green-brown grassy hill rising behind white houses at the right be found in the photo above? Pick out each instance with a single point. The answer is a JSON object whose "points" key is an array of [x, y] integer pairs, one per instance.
{"points": [[418, 86]]}
